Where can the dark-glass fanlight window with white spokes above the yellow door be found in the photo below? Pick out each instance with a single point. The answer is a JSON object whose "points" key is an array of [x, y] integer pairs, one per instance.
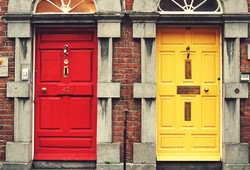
{"points": [[189, 6]]}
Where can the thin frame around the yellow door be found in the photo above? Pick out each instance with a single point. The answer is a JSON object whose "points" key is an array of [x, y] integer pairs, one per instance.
{"points": [[221, 78]]}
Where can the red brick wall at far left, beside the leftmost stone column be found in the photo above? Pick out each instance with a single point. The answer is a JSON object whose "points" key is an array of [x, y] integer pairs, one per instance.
{"points": [[6, 104]]}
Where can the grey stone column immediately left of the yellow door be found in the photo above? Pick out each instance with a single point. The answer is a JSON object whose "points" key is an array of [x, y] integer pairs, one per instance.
{"points": [[146, 90]]}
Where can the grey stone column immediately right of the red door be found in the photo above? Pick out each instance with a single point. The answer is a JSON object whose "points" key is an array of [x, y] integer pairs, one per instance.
{"points": [[107, 151]]}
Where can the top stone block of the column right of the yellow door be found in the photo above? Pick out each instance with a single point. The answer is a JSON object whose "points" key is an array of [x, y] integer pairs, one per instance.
{"points": [[236, 30]]}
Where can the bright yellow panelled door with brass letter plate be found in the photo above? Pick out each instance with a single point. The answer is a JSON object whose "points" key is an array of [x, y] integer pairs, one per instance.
{"points": [[188, 94]]}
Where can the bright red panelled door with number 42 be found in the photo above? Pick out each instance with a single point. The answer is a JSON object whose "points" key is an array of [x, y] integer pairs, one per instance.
{"points": [[65, 94]]}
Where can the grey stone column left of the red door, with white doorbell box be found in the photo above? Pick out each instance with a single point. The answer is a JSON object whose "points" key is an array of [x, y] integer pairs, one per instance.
{"points": [[19, 152]]}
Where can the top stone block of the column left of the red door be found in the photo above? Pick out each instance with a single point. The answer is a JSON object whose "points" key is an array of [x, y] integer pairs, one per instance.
{"points": [[20, 29]]}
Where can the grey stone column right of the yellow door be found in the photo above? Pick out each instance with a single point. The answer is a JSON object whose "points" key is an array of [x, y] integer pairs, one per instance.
{"points": [[234, 153]]}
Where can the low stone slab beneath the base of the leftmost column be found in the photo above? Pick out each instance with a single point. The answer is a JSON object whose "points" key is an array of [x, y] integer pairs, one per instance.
{"points": [[17, 166]]}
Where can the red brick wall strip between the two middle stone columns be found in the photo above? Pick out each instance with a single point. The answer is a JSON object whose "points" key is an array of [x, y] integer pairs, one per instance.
{"points": [[126, 69]]}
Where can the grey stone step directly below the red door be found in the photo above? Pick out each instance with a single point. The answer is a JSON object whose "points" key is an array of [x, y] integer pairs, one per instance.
{"points": [[43, 165]]}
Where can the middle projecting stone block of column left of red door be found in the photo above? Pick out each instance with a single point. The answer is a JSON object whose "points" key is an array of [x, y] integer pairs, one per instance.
{"points": [[18, 89]]}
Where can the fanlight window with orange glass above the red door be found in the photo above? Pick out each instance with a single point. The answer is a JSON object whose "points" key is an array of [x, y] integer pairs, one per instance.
{"points": [[66, 6]]}
